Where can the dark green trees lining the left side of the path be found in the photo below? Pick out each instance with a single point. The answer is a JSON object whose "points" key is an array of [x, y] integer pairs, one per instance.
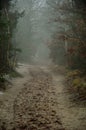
{"points": [[8, 50]]}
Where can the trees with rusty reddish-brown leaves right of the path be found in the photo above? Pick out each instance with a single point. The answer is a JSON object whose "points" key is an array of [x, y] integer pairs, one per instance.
{"points": [[71, 36]]}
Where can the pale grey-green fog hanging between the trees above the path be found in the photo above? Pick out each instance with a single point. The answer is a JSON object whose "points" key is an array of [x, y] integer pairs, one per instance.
{"points": [[33, 30]]}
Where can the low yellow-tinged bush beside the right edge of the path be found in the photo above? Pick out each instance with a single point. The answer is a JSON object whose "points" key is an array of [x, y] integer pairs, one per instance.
{"points": [[76, 83]]}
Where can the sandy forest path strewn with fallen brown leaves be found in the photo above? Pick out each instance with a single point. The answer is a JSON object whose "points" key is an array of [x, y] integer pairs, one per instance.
{"points": [[39, 101]]}
